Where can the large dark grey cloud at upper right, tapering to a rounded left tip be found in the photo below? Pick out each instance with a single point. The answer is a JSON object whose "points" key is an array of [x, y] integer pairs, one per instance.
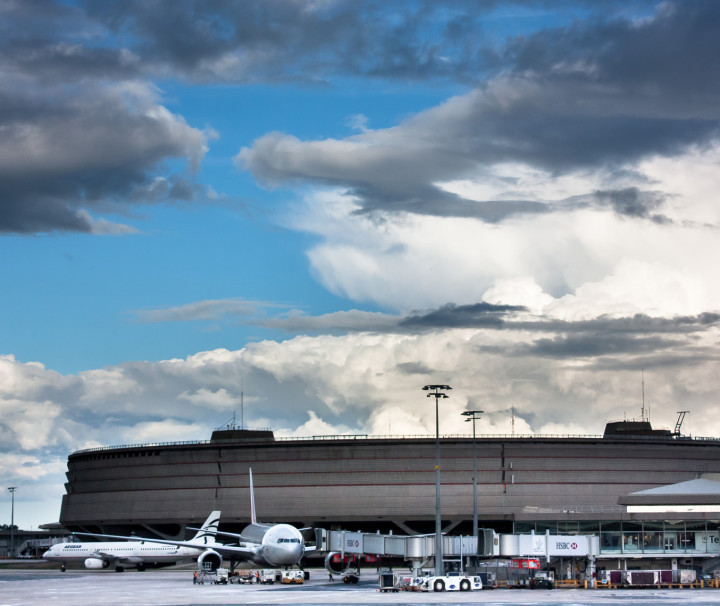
{"points": [[563, 100]]}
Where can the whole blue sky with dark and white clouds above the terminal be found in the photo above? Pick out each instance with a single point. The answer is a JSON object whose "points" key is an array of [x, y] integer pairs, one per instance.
{"points": [[296, 214]]}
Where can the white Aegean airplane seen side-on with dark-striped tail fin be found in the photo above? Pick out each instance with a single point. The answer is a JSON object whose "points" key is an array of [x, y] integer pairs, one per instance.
{"points": [[136, 552]]}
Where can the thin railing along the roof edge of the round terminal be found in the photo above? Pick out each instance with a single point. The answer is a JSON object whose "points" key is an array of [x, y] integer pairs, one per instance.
{"points": [[493, 436]]}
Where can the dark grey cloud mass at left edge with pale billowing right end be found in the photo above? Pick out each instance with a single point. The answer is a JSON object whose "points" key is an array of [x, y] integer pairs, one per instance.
{"points": [[66, 151]]}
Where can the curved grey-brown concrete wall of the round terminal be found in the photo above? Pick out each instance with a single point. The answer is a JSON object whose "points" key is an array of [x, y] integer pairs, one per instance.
{"points": [[342, 483]]}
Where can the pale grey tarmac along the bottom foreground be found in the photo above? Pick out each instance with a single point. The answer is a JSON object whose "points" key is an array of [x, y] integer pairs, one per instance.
{"points": [[50, 587]]}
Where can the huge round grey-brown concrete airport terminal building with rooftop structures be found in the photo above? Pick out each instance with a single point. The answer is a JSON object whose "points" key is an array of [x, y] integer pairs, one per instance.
{"points": [[642, 491]]}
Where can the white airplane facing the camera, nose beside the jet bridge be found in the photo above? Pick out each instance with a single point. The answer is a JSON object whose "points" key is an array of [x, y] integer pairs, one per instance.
{"points": [[268, 545]]}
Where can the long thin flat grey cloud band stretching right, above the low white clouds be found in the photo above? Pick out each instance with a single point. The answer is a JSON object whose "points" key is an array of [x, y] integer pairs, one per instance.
{"points": [[591, 335]]}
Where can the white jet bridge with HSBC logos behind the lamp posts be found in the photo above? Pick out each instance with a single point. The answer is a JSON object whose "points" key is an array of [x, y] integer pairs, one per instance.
{"points": [[419, 550]]}
